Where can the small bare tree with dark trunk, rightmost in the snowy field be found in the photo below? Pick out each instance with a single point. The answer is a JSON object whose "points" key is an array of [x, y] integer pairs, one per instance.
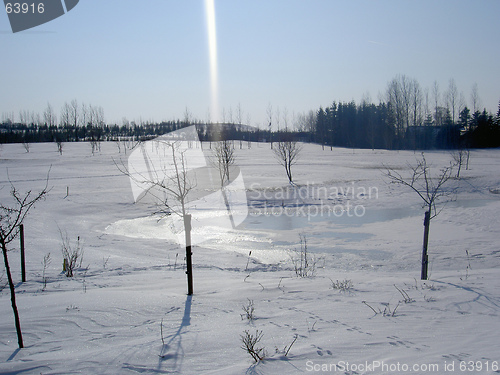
{"points": [[431, 189]]}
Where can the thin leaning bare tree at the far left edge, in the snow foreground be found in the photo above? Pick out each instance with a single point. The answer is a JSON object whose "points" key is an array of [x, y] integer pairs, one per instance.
{"points": [[11, 217]]}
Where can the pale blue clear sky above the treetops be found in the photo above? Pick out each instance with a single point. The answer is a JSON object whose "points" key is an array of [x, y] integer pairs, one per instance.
{"points": [[148, 59]]}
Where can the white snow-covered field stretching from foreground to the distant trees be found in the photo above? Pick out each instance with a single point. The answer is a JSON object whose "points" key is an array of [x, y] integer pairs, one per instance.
{"points": [[130, 291]]}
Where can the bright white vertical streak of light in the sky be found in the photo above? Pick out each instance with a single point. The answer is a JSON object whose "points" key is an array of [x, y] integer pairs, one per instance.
{"points": [[212, 48]]}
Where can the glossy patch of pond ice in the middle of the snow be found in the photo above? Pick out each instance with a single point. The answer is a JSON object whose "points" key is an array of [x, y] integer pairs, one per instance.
{"points": [[272, 236]]}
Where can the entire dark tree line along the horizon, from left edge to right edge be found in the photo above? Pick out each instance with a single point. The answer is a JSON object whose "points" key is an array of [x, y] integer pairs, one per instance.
{"points": [[406, 117]]}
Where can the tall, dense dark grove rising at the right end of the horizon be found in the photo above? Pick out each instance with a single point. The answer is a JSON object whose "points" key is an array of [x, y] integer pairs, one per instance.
{"points": [[408, 118]]}
